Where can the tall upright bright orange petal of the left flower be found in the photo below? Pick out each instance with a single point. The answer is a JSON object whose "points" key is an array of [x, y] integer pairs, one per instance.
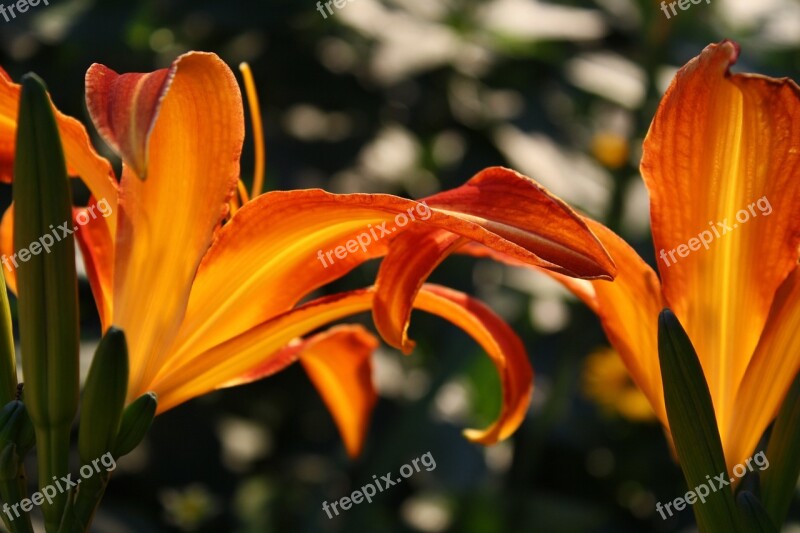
{"points": [[167, 221]]}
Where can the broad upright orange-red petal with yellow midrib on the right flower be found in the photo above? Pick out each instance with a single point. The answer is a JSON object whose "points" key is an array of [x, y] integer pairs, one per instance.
{"points": [[721, 162]]}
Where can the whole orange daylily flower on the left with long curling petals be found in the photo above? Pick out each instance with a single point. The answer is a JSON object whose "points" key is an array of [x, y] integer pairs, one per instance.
{"points": [[209, 298]]}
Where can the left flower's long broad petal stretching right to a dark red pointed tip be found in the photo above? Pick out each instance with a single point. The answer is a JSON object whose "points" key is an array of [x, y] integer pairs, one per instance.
{"points": [[282, 244]]}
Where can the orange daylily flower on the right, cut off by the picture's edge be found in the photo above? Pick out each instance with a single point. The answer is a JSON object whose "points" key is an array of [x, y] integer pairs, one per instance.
{"points": [[723, 157]]}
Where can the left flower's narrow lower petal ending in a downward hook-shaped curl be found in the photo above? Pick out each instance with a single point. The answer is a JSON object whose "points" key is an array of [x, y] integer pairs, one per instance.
{"points": [[204, 372]]}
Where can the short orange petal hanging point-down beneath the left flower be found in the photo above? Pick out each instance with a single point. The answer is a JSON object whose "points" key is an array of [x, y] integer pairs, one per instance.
{"points": [[338, 361]]}
